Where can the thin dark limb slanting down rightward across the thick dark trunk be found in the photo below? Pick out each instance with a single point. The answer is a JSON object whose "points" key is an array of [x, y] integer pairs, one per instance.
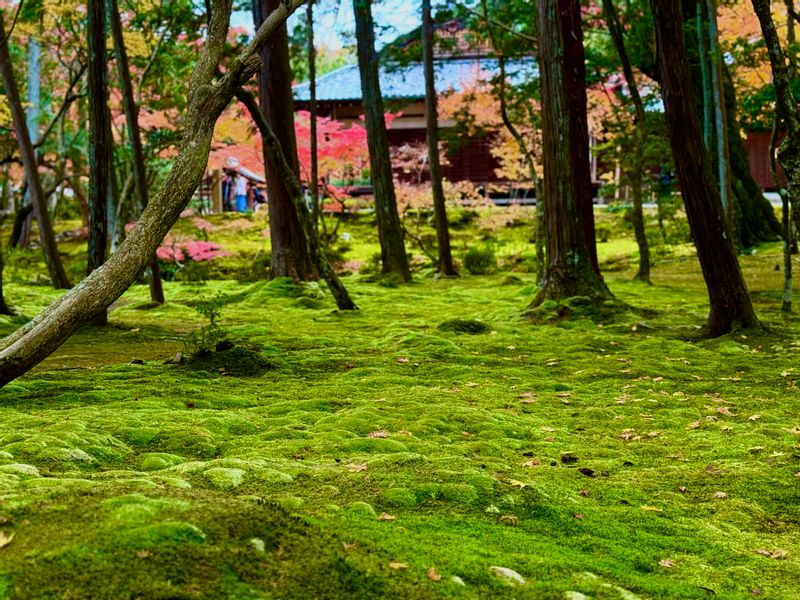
{"points": [[318, 258]]}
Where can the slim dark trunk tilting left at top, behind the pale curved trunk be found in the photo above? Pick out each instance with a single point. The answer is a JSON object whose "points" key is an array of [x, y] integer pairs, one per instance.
{"points": [[132, 119]]}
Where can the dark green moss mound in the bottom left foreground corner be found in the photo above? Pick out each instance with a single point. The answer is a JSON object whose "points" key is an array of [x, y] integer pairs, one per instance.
{"points": [[183, 547]]}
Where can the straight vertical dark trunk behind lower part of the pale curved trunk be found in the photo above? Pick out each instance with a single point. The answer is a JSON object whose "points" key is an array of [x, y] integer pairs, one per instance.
{"points": [[100, 143]]}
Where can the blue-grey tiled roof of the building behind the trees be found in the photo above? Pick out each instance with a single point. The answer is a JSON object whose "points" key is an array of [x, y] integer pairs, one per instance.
{"points": [[408, 82]]}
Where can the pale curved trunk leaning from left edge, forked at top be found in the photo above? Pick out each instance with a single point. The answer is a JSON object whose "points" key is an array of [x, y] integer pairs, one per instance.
{"points": [[33, 342]]}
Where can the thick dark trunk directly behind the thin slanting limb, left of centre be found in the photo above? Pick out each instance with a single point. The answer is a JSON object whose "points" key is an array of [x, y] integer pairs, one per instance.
{"points": [[289, 249]]}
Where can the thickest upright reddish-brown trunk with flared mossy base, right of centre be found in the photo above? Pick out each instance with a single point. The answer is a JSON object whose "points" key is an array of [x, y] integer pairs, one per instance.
{"points": [[572, 268]]}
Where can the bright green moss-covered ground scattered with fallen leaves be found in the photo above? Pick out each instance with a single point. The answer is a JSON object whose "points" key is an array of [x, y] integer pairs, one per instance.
{"points": [[433, 444]]}
